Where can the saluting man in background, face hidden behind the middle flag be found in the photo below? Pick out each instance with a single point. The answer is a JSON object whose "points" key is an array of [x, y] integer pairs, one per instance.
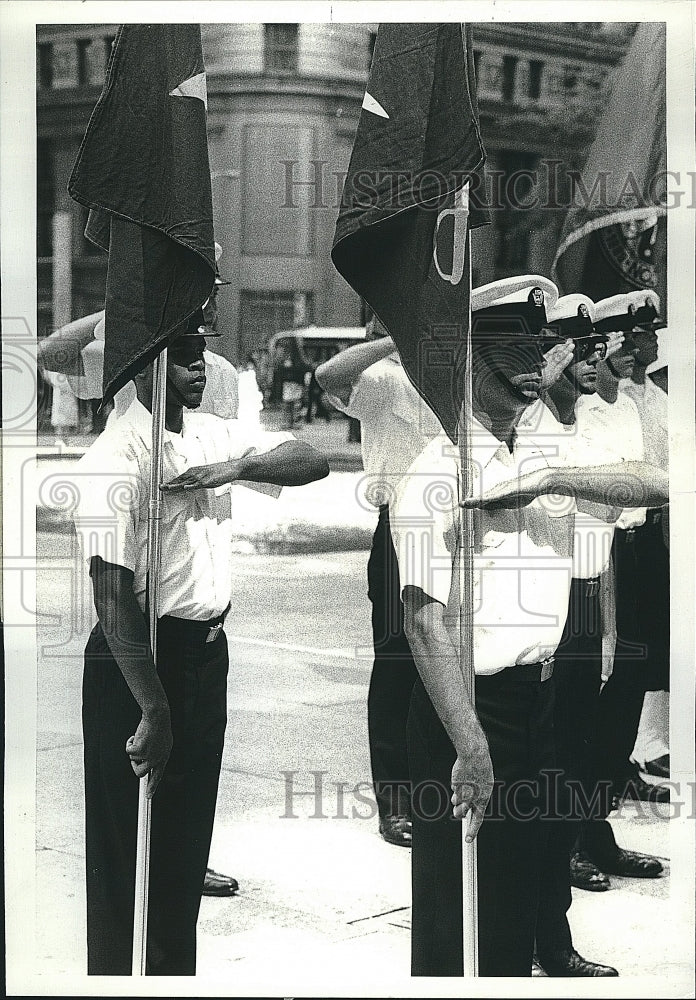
{"points": [[368, 383]]}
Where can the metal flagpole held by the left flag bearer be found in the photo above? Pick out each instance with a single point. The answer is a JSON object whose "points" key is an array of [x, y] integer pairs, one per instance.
{"points": [[142, 856]]}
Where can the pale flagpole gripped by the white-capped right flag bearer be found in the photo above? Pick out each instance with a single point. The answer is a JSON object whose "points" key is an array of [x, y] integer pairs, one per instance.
{"points": [[466, 625]]}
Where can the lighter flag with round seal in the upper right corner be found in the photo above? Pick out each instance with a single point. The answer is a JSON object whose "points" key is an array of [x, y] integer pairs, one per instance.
{"points": [[614, 236]]}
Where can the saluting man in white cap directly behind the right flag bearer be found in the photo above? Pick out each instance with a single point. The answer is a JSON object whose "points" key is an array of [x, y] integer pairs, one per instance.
{"points": [[592, 433]]}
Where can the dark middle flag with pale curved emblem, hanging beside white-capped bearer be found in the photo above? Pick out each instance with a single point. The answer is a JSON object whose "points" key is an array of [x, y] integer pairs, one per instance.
{"points": [[401, 232]]}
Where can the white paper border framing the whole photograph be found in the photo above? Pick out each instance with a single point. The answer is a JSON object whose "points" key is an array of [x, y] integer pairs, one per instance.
{"points": [[18, 257]]}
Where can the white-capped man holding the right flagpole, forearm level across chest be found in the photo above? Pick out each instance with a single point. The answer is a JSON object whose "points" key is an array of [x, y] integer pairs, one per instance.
{"points": [[522, 573]]}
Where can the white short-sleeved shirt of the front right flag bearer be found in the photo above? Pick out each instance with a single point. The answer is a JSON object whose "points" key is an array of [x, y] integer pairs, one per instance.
{"points": [[522, 558]]}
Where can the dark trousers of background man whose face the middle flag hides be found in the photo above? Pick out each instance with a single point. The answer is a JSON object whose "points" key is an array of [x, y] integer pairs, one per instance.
{"points": [[393, 676]]}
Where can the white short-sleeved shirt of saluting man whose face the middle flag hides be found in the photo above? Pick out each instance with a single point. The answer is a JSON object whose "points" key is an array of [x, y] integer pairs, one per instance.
{"points": [[396, 424]]}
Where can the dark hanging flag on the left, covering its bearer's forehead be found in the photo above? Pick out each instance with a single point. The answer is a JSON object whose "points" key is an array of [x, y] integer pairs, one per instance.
{"points": [[143, 171]]}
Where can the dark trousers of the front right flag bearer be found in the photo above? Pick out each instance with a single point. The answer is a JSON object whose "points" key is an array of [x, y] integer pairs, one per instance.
{"points": [[516, 712]]}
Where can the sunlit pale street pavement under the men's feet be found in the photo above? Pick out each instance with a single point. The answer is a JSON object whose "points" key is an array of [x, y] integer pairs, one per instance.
{"points": [[323, 906]]}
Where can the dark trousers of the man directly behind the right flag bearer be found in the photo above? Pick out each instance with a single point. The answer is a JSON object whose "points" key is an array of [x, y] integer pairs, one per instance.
{"points": [[577, 679]]}
